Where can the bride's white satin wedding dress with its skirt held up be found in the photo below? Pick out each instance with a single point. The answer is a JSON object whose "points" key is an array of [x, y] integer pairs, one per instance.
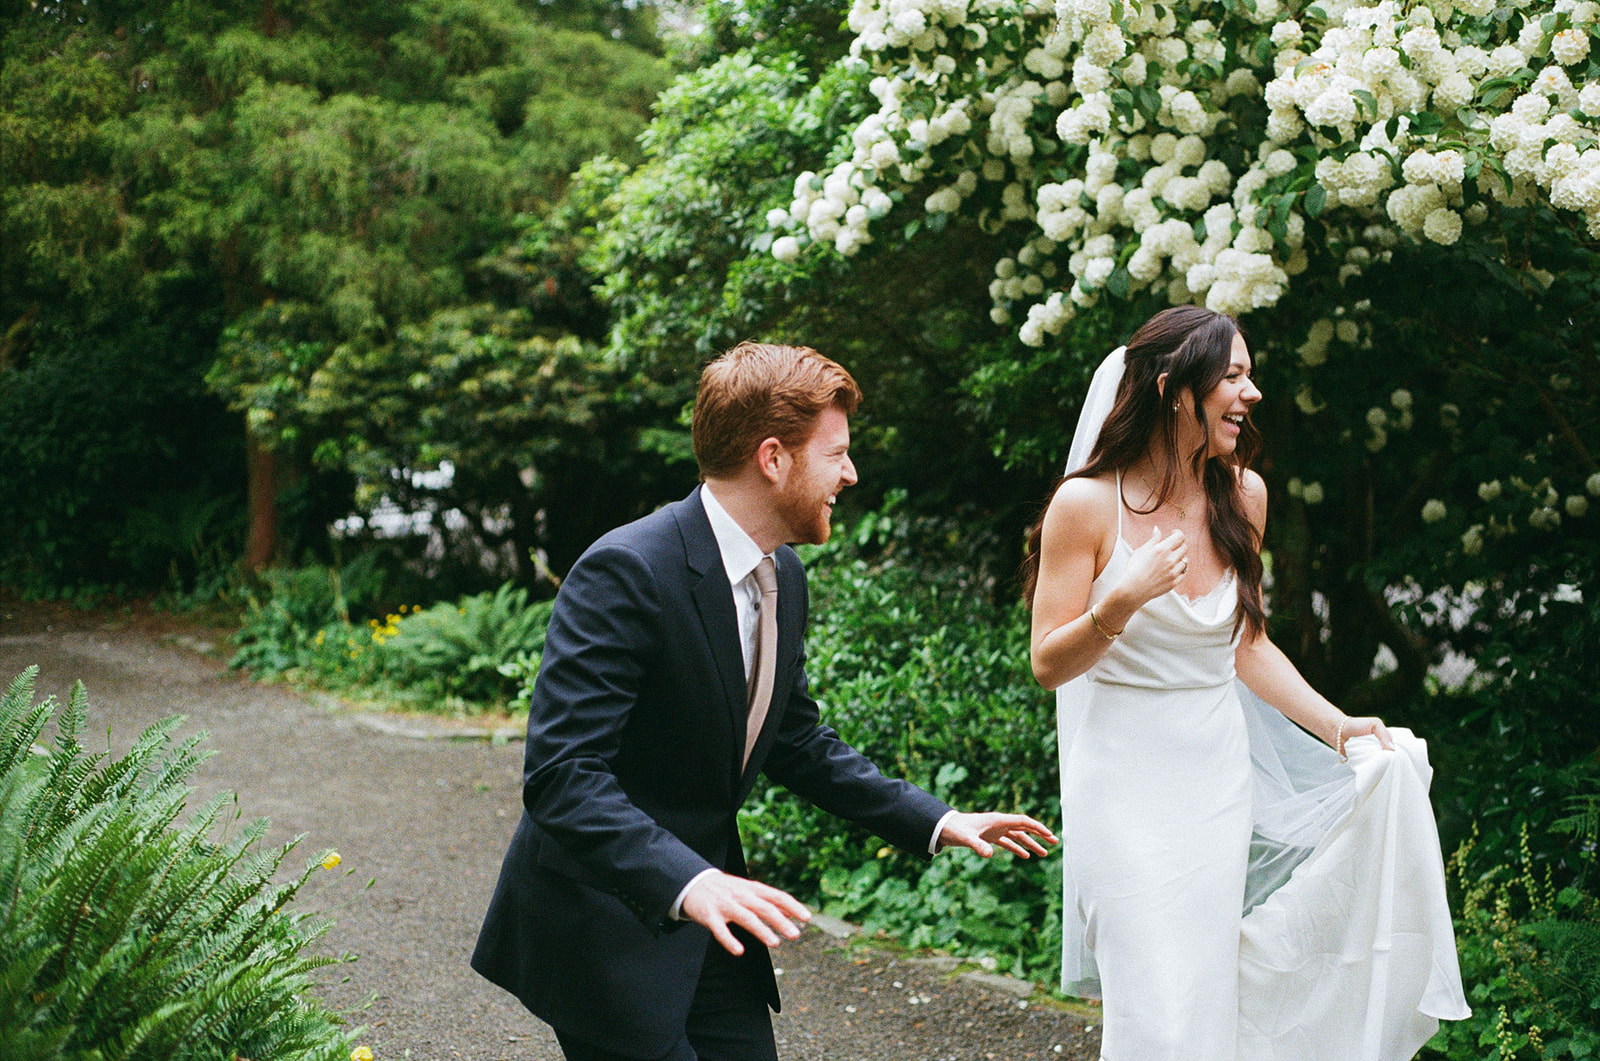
{"points": [[1175, 801]]}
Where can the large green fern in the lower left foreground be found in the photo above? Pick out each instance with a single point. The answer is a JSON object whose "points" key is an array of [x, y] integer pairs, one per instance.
{"points": [[127, 937]]}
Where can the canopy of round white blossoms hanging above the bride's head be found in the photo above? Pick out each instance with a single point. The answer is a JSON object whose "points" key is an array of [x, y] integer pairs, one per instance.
{"points": [[1106, 137]]}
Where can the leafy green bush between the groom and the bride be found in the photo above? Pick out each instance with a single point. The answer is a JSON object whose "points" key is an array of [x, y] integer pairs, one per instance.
{"points": [[918, 665]]}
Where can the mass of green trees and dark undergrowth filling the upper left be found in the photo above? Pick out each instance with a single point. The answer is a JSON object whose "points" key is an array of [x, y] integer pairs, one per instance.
{"points": [[302, 214]]}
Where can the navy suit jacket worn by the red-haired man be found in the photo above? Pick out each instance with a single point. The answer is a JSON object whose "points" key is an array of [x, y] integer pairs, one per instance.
{"points": [[633, 783]]}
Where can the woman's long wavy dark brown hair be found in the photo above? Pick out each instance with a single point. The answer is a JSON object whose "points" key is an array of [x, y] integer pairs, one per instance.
{"points": [[1194, 348]]}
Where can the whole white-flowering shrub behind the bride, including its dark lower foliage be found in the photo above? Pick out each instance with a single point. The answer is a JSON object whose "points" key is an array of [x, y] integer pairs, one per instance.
{"points": [[1314, 169]]}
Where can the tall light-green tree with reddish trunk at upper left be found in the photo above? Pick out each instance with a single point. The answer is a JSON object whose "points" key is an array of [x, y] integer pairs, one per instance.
{"points": [[313, 180]]}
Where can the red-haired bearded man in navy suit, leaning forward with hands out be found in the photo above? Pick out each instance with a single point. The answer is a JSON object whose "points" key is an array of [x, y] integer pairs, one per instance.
{"points": [[673, 678]]}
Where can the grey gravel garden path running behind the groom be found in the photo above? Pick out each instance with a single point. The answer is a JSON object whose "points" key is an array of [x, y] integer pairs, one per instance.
{"points": [[425, 815]]}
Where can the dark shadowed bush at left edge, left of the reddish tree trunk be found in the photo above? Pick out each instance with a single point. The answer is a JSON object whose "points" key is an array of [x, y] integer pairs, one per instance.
{"points": [[118, 468]]}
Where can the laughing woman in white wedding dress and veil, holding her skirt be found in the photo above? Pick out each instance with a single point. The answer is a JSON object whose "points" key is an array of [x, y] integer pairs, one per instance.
{"points": [[1234, 889]]}
